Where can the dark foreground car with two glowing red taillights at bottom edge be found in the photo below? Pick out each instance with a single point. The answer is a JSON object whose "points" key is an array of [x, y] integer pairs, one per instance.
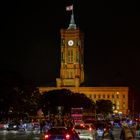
{"points": [[61, 133]]}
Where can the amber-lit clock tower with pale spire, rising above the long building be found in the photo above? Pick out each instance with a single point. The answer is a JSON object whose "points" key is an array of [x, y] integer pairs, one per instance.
{"points": [[72, 56]]}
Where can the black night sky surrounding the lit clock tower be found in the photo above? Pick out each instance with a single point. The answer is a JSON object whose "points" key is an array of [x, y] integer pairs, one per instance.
{"points": [[30, 39]]}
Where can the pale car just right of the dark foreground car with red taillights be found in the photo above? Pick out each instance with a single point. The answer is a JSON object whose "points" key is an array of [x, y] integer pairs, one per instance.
{"points": [[85, 132]]}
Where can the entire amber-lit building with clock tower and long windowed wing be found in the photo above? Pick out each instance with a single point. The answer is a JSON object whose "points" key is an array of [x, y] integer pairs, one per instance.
{"points": [[72, 71]]}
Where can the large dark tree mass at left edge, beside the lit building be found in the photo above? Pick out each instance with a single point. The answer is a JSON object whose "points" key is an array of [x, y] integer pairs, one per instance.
{"points": [[16, 95]]}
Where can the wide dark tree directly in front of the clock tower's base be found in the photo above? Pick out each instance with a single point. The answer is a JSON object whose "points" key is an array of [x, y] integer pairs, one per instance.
{"points": [[65, 98]]}
